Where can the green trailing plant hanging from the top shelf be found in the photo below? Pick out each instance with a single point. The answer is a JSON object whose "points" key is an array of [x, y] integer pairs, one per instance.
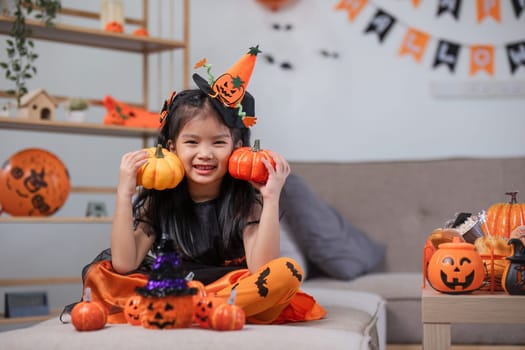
{"points": [[21, 55]]}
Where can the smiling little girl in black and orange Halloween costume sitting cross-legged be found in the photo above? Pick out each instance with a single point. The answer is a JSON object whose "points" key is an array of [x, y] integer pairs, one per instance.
{"points": [[226, 230]]}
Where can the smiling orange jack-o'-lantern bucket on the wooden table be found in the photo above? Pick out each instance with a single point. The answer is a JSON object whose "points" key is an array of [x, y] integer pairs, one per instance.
{"points": [[455, 268]]}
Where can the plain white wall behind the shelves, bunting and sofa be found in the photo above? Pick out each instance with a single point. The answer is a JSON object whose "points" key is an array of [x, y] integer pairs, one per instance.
{"points": [[369, 104]]}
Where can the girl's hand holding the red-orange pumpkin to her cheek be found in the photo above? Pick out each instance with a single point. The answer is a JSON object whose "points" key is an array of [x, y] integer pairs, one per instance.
{"points": [[276, 177]]}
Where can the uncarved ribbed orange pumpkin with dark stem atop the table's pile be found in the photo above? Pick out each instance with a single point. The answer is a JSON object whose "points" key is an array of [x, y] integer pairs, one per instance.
{"points": [[502, 218]]}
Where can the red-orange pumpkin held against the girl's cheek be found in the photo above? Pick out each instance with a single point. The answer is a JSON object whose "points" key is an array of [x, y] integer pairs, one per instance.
{"points": [[246, 163]]}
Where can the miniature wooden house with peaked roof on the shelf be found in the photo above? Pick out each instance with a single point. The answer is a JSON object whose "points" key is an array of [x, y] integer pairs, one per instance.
{"points": [[37, 105]]}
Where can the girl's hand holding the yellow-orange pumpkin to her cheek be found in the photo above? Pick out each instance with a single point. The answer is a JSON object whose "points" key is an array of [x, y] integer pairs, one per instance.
{"points": [[129, 167]]}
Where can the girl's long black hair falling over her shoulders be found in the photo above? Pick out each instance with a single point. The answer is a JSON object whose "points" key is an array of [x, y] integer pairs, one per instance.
{"points": [[172, 211]]}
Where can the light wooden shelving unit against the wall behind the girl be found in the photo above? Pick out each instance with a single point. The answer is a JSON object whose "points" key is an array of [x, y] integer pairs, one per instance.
{"points": [[95, 38]]}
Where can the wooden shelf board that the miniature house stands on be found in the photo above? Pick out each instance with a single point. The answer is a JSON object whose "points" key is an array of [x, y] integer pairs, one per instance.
{"points": [[75, 128]]}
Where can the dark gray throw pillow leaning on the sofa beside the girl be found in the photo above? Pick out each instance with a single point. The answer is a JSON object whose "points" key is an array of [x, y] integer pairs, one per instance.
{"points": [[328, 241]]}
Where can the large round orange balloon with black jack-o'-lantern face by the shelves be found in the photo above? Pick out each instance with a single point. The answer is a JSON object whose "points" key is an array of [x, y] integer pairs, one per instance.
{"points": [[33, 182]]}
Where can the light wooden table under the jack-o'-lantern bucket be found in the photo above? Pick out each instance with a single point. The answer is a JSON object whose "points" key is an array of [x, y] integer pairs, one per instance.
{"points": [[440, 310]]}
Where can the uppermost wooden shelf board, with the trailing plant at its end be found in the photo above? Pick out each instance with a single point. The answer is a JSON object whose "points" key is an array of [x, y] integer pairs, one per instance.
{"points": [[96, 38]]}
